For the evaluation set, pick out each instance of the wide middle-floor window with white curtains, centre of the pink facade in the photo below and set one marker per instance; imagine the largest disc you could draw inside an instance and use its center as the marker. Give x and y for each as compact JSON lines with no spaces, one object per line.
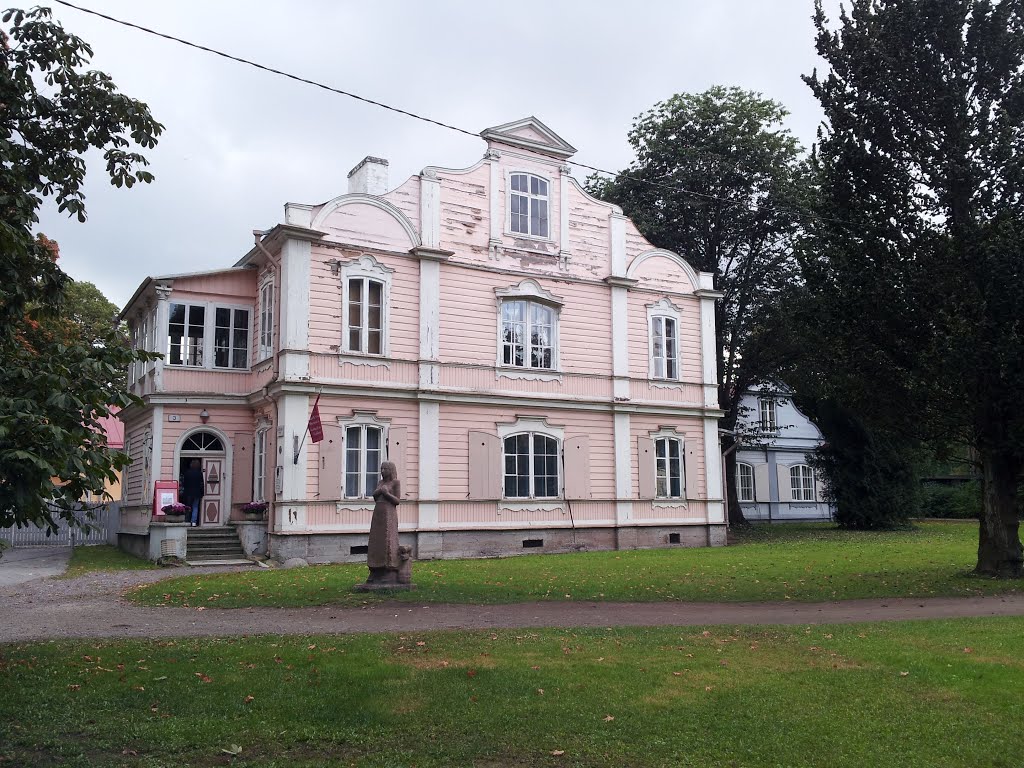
{"x":528,"y":329}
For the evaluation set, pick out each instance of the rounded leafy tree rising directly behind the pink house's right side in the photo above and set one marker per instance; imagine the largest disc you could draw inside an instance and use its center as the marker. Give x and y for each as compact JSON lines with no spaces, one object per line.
{"x":719,"y":181}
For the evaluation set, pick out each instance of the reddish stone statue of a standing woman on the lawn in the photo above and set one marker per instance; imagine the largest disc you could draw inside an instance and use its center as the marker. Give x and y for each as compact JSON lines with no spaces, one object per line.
{"x":391,"y":566}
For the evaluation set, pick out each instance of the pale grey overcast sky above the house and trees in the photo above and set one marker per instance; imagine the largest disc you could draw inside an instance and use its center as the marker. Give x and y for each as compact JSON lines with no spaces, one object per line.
{"x":241,"y":143}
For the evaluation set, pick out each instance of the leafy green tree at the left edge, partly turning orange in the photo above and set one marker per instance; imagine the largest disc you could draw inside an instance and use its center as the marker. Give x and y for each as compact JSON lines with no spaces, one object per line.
{"x":56,"y":381}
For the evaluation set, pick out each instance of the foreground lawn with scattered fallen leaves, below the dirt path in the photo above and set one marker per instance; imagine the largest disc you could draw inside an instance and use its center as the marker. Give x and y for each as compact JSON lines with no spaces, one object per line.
{"x":919,"y":694}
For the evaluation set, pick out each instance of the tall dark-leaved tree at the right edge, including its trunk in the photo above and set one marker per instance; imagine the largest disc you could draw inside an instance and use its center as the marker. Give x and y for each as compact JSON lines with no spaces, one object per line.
{"x":915,"y":309}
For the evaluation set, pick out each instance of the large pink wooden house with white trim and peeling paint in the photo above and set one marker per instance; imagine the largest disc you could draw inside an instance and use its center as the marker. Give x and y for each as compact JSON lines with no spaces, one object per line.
{"x":543,"y":376}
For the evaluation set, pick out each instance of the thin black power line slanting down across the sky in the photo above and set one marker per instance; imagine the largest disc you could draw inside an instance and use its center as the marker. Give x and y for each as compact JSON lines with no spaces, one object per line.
{"x":390,"y":108}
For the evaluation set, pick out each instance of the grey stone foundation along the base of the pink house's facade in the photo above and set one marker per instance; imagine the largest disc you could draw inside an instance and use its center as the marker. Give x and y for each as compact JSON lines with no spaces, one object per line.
{"x":431,"y":545}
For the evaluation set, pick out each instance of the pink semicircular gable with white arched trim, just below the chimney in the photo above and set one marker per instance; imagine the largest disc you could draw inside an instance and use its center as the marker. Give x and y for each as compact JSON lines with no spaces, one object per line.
{"x":367,"y":221}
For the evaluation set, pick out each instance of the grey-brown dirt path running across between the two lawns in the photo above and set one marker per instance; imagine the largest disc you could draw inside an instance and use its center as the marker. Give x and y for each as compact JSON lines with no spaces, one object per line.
{"x":92,"y":608}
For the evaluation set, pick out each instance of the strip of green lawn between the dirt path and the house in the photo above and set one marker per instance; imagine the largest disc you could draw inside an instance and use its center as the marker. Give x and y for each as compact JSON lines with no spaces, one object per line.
{"x":782,"y":563}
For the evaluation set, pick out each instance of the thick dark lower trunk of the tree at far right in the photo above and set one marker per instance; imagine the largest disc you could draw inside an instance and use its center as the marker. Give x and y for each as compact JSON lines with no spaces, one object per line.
{"x":999,"y":540}
